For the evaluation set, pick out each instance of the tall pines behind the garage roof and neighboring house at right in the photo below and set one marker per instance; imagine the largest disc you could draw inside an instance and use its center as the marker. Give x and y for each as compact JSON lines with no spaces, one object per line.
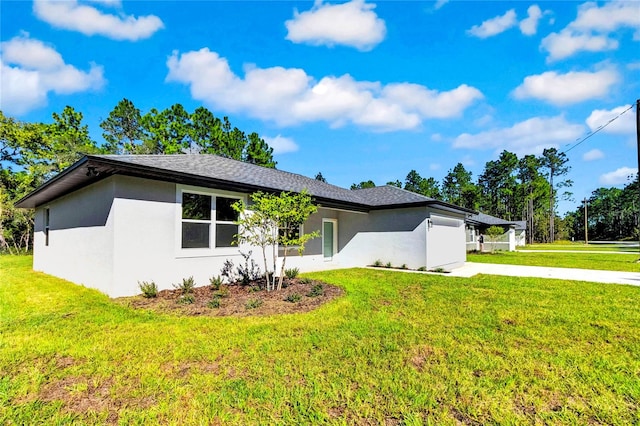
{"x":515,"y":189}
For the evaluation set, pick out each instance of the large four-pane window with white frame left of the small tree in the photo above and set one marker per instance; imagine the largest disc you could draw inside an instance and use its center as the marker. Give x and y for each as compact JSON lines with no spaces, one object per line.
{"x":208,"y":221}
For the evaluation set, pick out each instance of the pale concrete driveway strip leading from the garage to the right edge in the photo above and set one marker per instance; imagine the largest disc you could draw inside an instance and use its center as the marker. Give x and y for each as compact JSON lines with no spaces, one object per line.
{"x":608,"y":277}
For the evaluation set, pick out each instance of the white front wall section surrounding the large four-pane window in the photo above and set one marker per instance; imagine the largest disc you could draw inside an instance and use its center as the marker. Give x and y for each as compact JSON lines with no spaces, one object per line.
{"x":148,"y":238}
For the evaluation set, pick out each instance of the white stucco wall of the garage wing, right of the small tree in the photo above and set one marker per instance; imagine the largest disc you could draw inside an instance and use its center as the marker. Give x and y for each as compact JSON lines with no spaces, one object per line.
{"x":399,"y":236}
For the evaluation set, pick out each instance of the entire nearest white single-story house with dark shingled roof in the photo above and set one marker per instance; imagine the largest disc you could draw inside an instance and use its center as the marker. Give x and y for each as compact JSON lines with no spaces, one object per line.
{"x":109,"y":222}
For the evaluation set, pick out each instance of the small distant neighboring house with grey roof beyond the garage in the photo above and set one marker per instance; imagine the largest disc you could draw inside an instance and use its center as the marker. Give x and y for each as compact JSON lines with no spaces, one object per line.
{"x":514,"y":233}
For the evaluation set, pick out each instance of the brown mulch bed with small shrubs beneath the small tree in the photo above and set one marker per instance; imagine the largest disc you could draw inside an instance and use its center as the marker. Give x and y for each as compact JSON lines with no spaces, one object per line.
{"x":297,"y":295}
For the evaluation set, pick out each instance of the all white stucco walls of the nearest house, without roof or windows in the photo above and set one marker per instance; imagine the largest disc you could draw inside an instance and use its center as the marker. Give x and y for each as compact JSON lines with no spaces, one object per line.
{"x":123,"y":230}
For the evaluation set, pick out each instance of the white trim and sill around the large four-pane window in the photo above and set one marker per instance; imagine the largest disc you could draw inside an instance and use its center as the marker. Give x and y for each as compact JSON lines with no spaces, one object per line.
{"x":211,"y":251}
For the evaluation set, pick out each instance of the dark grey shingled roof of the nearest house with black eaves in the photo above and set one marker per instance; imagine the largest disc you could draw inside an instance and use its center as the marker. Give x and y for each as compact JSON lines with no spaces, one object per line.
{"x":223,"y":173}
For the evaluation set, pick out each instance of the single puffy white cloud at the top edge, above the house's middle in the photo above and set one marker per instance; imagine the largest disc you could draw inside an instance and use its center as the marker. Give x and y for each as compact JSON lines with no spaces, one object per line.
{"x":351,"y":24}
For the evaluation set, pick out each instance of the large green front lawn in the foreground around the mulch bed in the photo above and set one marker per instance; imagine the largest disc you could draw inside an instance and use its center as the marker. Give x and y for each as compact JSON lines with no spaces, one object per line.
{"x":397,"y":349}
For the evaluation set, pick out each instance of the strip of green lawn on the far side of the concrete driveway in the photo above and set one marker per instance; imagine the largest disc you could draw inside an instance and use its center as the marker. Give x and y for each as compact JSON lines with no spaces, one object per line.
{"x":582,"y":260}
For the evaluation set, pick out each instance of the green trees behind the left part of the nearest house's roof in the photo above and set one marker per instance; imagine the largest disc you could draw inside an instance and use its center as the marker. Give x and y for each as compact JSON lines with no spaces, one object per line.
{"x":31,"y":153}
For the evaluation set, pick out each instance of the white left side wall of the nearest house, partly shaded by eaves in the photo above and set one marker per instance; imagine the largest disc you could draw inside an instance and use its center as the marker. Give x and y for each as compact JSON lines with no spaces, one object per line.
{"x":81,"y":242}
